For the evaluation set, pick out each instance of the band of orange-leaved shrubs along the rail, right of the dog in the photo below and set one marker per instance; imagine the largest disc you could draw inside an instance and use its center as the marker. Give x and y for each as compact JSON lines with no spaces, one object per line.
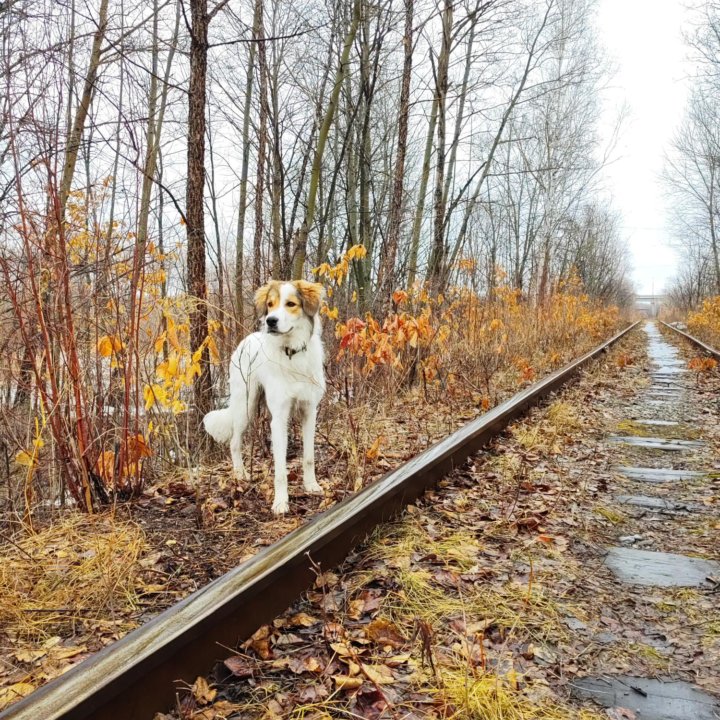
{"x":444,"y":339}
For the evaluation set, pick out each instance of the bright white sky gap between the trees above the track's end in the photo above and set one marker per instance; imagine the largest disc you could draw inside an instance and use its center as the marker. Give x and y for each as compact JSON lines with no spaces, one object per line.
{"x":644,"y":40}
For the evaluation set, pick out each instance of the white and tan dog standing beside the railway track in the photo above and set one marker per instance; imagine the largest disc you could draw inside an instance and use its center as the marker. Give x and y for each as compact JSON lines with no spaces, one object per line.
{"x":285,"y":361}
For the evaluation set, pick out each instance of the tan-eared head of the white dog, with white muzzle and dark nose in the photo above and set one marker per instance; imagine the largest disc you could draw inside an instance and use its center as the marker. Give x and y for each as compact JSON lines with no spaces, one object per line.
{"x":286,"y":307}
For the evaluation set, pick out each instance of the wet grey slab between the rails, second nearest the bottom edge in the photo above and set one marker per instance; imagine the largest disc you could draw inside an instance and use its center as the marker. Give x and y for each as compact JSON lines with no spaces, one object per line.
{"x":644,"y":567}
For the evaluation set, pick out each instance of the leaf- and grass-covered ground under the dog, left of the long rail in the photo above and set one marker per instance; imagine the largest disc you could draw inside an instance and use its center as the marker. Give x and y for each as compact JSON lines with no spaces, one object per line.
{"x":193,"y":525}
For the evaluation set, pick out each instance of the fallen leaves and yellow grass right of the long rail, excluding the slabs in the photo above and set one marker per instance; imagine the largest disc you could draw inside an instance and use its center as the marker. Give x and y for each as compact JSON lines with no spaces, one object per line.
{"x":489,"y":595}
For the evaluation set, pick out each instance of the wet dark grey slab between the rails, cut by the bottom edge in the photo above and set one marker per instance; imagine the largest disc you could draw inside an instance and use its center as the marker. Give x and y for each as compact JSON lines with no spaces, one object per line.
{"x":648,"y":698}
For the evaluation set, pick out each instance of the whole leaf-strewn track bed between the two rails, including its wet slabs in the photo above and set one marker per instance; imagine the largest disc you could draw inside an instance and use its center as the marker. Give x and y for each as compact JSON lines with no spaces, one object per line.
{"x":570,"y":571}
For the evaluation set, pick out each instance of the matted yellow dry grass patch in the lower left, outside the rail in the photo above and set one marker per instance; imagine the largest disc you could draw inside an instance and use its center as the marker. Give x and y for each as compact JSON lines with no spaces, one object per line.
{"x":85,"y":568}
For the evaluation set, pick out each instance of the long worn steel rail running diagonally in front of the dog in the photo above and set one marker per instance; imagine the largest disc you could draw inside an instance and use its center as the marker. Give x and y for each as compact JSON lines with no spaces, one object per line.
{"x":137,"y":675}
